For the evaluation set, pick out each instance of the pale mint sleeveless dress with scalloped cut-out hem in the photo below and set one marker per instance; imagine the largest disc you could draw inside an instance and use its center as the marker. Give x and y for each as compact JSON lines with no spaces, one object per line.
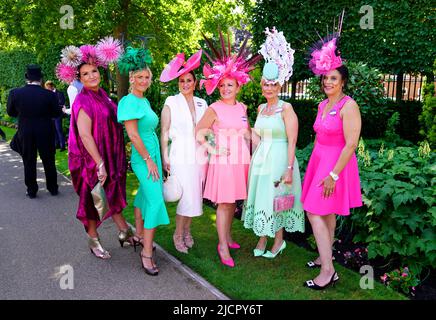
{"x":268,"y":164}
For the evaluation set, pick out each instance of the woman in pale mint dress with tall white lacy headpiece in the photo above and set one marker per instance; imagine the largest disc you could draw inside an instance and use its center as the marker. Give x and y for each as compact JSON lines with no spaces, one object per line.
{"x":273,"y":161}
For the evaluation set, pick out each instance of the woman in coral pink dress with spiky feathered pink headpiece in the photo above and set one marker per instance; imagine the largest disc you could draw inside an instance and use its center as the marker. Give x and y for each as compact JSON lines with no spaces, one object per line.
{"x":227,"y":175}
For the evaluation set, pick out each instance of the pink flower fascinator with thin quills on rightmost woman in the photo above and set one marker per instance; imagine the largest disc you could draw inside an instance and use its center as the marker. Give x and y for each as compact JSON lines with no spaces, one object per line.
{"x":324,"y":54}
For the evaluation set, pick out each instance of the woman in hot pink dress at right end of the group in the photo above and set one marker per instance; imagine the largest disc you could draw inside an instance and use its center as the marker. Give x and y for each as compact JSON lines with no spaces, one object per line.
{"x":331,"y":184}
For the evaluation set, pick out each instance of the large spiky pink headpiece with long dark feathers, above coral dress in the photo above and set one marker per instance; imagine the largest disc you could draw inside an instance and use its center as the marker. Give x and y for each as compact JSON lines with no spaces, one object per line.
{"x":226,"y":64}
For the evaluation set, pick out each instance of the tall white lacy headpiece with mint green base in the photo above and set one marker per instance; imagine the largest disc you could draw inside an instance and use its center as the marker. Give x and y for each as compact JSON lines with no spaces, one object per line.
{"x":279,"y":57}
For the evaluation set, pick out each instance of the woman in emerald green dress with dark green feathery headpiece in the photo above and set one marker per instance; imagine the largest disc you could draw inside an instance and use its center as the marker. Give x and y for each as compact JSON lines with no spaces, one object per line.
{"x":140,"y":122}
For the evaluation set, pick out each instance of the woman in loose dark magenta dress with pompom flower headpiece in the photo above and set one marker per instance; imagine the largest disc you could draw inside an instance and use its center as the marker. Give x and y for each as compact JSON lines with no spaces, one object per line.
{"x":96,"y":142}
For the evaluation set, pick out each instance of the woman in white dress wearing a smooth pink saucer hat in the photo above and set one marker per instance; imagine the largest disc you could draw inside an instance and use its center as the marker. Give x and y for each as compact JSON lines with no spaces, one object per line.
{"x":184,"y":158}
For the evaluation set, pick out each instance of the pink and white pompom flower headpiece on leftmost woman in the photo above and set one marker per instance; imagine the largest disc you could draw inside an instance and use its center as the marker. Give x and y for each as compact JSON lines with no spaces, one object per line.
{"x":105,"y":52}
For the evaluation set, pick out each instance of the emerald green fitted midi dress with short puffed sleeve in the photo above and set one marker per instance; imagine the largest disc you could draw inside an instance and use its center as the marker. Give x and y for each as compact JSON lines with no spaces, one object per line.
{"x":149,"y":198}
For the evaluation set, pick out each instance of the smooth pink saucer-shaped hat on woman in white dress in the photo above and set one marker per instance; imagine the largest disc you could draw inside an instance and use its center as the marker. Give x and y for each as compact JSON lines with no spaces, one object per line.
{"x":177,"y":67}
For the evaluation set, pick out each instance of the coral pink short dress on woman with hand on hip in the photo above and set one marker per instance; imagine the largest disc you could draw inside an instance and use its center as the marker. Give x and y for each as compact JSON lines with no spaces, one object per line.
{"x":227,"y":176}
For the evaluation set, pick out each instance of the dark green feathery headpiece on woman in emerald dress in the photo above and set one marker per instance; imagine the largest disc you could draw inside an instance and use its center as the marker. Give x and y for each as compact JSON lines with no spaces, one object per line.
{"x":134,"y":59}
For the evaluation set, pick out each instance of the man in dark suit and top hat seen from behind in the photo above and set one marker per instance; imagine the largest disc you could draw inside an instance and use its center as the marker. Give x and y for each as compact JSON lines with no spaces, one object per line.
{"x":35,"y":107}
